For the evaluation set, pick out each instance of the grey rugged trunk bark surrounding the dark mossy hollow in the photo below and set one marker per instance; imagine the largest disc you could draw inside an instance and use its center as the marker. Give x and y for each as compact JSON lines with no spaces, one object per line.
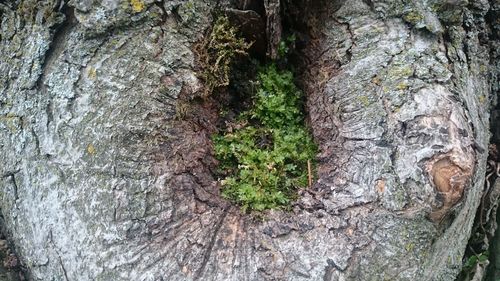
{"x":107,"y":159}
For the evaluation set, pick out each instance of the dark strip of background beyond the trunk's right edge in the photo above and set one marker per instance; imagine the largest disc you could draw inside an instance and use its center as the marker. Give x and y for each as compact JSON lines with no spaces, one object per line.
{"x":485,"y":237}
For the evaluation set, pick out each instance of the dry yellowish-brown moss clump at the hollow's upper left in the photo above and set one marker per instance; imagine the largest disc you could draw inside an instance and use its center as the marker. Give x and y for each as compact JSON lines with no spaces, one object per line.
{"x":219,"y":52}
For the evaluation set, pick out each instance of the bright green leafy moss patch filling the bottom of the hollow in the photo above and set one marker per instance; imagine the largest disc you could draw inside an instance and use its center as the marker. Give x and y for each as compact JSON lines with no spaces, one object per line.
{"x":265,"y":161}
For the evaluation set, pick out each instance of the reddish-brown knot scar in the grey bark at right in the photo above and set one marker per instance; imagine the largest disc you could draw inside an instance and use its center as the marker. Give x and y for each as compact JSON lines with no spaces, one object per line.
{"x":450,"y":174}
